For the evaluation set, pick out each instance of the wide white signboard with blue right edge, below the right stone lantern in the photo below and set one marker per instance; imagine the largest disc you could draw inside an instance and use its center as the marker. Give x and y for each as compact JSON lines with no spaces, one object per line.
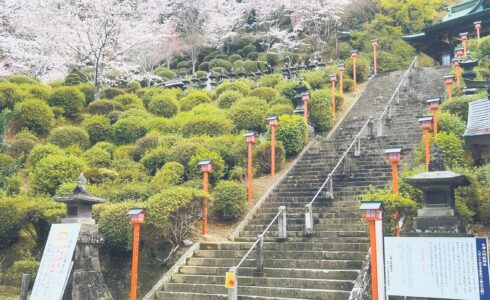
{"x":450,"y":268}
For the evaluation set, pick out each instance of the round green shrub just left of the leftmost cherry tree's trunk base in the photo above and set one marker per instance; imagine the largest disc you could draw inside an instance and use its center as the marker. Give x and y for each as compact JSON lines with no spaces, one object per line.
{"x":69,"y":98}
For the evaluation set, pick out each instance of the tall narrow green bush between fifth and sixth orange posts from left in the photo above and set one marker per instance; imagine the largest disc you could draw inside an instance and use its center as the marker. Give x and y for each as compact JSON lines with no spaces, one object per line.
{"x":320,"y":109}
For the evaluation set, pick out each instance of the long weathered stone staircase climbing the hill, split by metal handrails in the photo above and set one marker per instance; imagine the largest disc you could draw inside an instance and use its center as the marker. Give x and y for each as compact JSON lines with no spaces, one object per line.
{"x":325,"y":265}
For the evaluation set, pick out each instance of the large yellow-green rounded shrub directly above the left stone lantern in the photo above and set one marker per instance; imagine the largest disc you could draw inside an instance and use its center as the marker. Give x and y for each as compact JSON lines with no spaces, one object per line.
{"x":54,"y":170}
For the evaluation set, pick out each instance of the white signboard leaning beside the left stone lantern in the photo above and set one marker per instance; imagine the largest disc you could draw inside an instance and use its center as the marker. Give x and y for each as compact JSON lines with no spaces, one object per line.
{"x":56,"y":263}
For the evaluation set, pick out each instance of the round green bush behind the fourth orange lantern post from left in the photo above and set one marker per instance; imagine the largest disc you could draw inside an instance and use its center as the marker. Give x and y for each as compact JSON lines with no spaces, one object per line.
{"x":262,"y":157}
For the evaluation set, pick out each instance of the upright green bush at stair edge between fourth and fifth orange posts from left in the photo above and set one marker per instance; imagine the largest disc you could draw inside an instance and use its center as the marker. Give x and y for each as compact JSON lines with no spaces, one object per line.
{"x":292,"y":133}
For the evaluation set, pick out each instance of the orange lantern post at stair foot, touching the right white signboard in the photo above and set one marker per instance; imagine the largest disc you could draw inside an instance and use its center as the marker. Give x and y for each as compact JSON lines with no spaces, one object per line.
{"x":372,"y":212}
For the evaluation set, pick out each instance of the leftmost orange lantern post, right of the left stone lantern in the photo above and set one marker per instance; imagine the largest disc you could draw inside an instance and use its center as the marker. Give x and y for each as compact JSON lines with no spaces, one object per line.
{"x":137,"y":217}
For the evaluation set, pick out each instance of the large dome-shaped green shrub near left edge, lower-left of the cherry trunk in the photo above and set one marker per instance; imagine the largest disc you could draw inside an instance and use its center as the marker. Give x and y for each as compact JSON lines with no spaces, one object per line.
{"x":34,"y":115}
